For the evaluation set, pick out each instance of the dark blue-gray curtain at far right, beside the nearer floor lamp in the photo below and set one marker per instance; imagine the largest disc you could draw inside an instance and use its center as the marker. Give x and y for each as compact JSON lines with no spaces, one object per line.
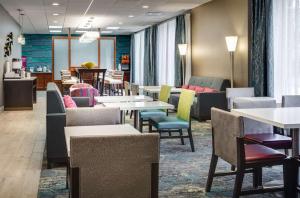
{"x":261,"y":47}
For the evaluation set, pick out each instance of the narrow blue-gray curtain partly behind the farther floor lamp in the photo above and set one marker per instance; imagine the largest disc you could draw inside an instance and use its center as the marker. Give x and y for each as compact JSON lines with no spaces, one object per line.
{"x":180,"y":38}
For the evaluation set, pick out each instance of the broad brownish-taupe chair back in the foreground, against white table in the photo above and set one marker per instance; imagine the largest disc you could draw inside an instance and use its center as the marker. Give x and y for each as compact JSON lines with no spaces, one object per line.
{"x":116,"y":166}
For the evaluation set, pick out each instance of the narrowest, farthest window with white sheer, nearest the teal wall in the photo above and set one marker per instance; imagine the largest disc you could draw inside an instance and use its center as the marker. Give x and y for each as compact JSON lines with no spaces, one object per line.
{"x":139,"y":46}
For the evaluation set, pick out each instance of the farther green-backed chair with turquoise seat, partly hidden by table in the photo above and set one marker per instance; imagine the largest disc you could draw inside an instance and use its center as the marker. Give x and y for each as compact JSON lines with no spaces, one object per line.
{"x":144,"y":116}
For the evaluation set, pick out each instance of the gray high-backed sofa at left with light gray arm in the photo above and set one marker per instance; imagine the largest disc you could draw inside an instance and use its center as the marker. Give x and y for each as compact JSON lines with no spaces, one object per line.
{"x":58,"y":117}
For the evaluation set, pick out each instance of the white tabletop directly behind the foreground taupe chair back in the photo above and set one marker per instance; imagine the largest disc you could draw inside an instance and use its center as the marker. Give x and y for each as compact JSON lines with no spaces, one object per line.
{"x":91,"y":131}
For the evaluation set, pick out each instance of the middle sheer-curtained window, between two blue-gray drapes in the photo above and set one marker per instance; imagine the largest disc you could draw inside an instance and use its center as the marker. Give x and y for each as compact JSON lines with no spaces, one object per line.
{"x":166,"y":53}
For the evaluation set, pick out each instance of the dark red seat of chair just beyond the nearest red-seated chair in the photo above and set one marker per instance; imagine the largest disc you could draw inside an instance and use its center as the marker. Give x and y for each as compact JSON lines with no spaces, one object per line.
{"x":271,"y":140}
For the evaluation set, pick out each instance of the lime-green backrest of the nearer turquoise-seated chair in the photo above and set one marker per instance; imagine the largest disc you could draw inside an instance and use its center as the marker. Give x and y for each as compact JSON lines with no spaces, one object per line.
{"x":185,"y":103}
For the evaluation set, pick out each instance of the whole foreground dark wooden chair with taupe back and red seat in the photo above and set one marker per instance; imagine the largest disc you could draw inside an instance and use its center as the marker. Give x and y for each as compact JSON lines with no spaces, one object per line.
{"x":229,"y":144}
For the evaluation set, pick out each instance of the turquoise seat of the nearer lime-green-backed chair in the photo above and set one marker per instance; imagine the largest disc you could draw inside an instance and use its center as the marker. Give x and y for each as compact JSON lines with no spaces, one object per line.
{"x":169,"y":123}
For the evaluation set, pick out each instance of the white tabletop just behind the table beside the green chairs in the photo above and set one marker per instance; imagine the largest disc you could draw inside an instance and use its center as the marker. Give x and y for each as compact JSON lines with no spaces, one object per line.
{"x":117,"y":99}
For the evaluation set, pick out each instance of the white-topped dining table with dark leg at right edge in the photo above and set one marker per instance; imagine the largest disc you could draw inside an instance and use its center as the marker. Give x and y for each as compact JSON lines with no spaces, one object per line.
{"x":284,"y":118}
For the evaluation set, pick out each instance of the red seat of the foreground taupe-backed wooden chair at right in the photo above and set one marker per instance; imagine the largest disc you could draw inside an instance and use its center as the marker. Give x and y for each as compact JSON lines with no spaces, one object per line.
{"x":256,"y":153}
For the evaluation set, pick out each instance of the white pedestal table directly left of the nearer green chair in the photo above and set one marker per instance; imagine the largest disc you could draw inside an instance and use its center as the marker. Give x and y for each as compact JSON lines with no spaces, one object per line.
{"x":139,"y":106}
